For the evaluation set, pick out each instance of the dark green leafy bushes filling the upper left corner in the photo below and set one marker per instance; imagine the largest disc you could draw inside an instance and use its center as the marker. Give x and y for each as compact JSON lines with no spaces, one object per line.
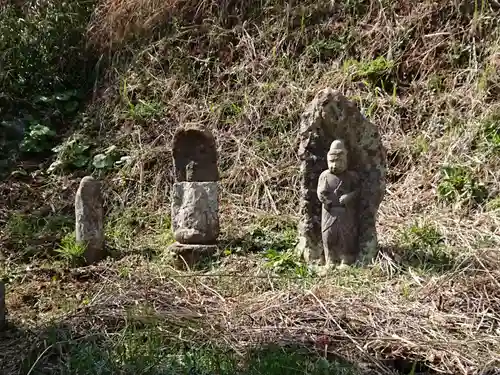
{"x":45,"y":68}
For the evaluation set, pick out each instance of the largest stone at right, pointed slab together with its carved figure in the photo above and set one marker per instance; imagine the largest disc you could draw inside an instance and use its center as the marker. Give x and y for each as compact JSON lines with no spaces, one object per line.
{"x":329,"y":117}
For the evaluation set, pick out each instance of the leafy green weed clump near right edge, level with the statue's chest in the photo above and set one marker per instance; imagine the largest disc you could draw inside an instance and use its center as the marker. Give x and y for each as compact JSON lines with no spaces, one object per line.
{"x":458,"y":185}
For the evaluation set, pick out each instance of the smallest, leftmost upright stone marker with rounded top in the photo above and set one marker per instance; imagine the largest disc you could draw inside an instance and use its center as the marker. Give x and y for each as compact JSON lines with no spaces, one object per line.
{"x":89,"y":212}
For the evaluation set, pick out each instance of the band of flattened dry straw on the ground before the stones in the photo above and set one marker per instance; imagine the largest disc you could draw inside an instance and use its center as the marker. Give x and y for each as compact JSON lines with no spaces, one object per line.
{"x":447,"y":322}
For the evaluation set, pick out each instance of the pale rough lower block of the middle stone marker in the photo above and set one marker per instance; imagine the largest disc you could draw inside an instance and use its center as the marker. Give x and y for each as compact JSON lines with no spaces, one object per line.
{"x":195,"y":212}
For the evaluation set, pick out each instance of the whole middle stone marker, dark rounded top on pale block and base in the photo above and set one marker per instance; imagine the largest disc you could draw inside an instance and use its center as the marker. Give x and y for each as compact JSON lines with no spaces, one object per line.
{"x":195,"y":203}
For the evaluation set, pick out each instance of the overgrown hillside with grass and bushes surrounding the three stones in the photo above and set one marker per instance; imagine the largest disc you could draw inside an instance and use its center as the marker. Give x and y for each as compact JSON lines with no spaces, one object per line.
{"x":115,"y":78}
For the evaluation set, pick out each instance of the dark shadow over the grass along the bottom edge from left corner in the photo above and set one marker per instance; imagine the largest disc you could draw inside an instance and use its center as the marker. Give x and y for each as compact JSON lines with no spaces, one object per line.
{"x":151,"y":350}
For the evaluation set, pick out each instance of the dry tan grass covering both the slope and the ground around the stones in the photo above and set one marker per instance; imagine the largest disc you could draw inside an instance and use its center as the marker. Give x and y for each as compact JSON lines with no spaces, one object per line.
{"x":246,"y":72}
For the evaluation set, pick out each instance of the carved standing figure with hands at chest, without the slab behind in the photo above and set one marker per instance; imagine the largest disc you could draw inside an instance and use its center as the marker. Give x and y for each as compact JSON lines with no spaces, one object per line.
{"x":338,"y":192}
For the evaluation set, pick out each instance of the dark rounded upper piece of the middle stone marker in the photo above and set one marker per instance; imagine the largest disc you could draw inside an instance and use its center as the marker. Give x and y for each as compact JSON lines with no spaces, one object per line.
{"x":195,"y":155}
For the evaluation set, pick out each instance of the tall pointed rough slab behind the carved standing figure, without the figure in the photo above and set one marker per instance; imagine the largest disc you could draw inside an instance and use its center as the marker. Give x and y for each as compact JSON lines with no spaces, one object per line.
{"x":328,"y":117}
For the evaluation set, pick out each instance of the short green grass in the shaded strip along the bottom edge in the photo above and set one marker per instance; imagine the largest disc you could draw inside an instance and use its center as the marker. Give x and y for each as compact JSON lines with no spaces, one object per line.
{"x":149,"y":351}
